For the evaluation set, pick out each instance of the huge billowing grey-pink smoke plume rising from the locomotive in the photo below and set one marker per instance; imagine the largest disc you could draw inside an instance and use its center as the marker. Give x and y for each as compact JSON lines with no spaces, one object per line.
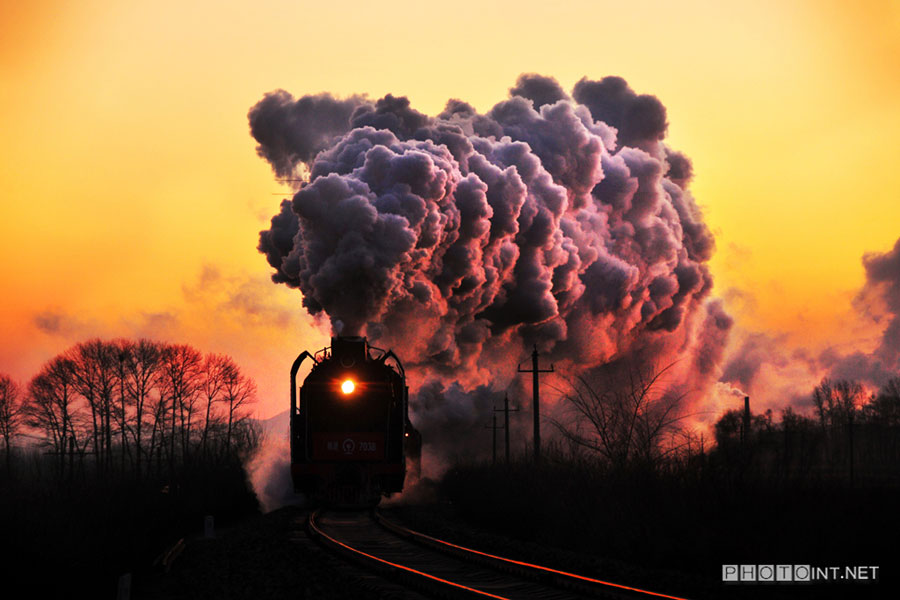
{"x":462,"y":239}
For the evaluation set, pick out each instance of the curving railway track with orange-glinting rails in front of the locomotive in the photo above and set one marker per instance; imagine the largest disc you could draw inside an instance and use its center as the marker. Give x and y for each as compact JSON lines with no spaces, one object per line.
{"x":440,"y":569}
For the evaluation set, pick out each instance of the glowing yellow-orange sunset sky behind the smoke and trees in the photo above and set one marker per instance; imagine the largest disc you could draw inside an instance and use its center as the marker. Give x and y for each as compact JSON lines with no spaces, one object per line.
{"x":132,"y":196}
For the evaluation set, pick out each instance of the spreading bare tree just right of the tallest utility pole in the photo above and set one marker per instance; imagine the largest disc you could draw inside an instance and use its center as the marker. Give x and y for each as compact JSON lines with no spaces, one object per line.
{"x":624,"y":411}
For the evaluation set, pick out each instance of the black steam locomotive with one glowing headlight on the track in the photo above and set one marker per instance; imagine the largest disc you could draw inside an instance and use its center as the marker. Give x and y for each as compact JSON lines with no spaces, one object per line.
{"x":351,"y":435}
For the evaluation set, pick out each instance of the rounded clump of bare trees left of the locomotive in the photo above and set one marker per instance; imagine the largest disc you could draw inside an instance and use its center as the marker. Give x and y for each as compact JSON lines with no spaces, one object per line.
{"x":137,"y":405}
